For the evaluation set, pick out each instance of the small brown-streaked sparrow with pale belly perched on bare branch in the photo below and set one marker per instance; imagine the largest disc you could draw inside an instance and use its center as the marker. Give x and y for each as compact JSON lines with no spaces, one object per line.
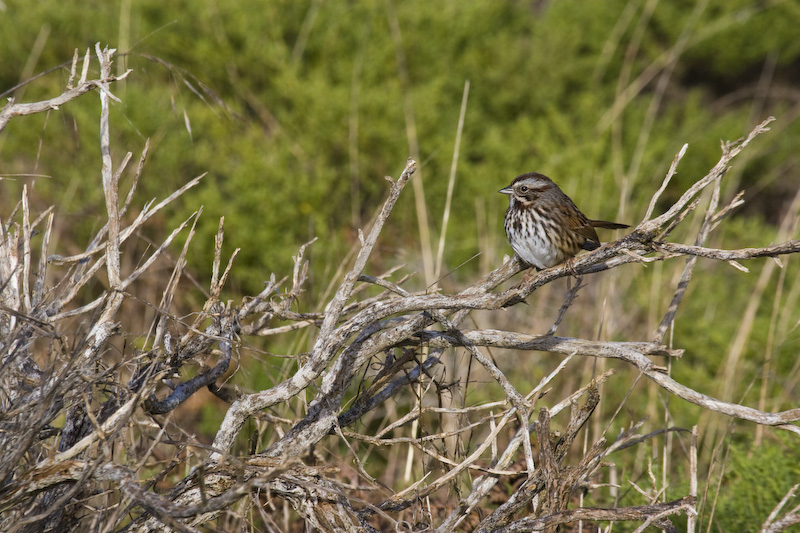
{"x":543,"y":226}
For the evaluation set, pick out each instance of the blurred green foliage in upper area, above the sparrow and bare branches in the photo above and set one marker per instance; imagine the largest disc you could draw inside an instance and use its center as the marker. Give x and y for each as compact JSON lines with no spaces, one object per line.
{"x":314,"y":112}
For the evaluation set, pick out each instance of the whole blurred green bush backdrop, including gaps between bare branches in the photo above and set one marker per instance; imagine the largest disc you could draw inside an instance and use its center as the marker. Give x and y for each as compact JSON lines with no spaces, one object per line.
{"x":297,"y":110}
